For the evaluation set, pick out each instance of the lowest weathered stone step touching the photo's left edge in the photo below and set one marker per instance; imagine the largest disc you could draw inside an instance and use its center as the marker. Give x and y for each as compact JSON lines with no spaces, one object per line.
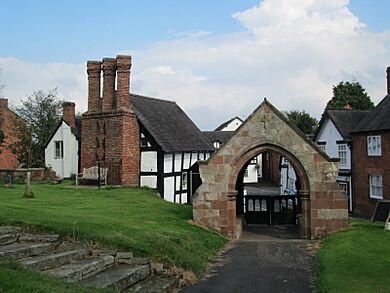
{"x":22,"y":250}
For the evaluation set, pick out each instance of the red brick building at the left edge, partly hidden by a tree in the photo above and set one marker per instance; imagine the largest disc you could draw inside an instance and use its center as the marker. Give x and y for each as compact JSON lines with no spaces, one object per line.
{"x":7,"y":117}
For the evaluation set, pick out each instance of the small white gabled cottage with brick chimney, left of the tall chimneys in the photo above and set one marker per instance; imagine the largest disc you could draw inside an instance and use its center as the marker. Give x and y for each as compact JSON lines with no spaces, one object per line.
{"x":61,"y":150}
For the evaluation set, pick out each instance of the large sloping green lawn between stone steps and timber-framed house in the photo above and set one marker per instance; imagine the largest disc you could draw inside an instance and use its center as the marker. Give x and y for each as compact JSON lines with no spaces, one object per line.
{"x":133,"y":219}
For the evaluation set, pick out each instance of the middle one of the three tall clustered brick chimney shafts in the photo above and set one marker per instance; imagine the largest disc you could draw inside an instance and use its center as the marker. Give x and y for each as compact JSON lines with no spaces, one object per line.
{"x":109,"y":74}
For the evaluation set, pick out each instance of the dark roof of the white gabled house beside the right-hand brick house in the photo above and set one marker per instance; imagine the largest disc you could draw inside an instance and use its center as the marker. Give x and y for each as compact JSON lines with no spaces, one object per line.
{"x":344,"y":121}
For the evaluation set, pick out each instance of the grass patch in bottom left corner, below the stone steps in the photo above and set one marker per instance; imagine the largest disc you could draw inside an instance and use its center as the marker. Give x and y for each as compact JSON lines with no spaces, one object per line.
{"x":15,"y":279}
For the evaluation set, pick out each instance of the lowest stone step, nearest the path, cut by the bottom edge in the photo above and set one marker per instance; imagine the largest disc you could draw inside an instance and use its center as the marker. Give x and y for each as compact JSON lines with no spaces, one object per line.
{"x":155,"y":284}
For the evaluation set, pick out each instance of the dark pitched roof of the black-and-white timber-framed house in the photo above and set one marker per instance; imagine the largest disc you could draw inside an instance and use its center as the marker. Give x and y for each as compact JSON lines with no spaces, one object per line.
{"x":172,"y":129}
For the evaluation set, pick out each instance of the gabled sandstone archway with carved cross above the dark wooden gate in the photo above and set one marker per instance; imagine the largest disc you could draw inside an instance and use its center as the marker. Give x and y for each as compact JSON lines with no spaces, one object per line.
{"x":324,"y":205}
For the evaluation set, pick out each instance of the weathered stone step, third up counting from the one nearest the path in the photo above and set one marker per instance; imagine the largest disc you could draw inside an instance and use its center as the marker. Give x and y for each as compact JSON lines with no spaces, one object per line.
{"x":83,"y":268}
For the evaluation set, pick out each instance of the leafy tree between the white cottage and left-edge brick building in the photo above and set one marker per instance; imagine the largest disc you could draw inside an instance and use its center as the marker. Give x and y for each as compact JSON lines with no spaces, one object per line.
{"x":42,"y":111}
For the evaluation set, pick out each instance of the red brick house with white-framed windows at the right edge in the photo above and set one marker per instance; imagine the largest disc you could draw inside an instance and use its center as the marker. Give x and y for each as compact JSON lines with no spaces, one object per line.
{"x":371,"y":157}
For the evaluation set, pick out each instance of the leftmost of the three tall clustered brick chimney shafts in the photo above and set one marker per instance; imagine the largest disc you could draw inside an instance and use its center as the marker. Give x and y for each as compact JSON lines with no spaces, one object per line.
{"x":93,"y":70}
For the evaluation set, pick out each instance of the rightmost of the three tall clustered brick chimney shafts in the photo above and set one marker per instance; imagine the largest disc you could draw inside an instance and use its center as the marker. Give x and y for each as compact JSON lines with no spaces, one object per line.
{"x":123,"y":64}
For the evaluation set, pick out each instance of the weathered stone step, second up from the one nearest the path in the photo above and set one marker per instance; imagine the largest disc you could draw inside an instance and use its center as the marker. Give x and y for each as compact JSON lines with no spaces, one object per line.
{"x":118,"y":277}
